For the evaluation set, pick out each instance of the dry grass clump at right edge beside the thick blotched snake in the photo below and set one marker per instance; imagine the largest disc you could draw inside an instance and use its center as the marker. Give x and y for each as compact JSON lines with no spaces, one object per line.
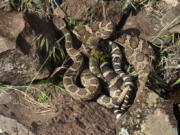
{"x":169,"y":60}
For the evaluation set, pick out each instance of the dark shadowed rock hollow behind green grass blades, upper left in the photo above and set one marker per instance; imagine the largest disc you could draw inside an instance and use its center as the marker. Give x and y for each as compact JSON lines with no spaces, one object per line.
{"x":35,"y":26}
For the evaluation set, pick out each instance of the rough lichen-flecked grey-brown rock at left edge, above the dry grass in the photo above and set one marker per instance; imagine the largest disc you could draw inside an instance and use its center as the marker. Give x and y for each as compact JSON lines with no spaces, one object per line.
{"x":17,"y":68}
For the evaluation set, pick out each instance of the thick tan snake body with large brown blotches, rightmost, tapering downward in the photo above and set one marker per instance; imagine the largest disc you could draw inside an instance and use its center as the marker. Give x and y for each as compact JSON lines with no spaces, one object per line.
{"x":140,"y":54}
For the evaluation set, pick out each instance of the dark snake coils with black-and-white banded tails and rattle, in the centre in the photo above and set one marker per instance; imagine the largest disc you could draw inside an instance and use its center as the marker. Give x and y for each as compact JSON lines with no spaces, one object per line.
{"x":121,"y":87}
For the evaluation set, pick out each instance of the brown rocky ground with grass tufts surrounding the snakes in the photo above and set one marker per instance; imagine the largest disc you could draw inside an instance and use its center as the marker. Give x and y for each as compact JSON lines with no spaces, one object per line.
{"x":33,"y":103}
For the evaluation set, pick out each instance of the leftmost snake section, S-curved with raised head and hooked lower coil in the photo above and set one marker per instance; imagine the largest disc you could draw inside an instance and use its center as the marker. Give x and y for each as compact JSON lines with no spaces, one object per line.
{"x":71,"y":74}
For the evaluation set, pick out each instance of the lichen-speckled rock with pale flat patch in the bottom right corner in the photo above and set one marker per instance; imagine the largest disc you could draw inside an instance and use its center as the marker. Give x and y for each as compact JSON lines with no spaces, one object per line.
{"x":149,"y":115}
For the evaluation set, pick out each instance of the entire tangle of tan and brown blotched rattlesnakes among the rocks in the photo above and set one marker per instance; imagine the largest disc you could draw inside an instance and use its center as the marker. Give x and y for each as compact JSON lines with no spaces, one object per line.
{"x":121,"y":87}
